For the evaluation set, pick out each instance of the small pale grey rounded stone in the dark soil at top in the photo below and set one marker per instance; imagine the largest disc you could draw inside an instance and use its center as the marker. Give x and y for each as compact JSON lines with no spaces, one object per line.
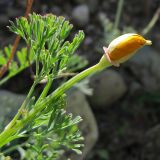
{"x":80,"y":15}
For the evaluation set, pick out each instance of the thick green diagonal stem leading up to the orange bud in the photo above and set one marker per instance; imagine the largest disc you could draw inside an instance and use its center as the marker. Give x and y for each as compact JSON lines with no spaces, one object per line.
{"x":42,"y":104}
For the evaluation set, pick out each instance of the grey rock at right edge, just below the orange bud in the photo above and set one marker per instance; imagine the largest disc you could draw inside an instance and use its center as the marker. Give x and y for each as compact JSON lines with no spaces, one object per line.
{"x":145,"y":66}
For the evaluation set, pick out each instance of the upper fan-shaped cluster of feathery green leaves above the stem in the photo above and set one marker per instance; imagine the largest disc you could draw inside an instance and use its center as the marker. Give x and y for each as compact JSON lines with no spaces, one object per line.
{"x":46,"y":35}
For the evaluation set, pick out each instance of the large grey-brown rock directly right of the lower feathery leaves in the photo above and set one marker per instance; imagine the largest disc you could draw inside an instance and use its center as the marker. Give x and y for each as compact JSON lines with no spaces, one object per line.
{"x":78,"y":105}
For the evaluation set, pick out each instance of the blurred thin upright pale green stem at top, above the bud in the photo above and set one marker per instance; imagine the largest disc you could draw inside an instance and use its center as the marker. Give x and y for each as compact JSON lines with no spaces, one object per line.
{"x":118,"y":14}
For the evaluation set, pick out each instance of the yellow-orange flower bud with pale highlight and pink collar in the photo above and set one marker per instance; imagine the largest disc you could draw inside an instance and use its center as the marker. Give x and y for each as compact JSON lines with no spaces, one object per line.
{"x":123,"y":47}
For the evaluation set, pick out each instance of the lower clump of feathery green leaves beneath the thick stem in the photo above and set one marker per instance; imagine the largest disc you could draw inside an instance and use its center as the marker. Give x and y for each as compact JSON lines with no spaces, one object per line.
{"x":54,"y":131}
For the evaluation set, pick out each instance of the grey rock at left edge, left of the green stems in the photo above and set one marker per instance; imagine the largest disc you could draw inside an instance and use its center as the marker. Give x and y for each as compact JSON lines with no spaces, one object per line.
{"x":10,"y":102}
